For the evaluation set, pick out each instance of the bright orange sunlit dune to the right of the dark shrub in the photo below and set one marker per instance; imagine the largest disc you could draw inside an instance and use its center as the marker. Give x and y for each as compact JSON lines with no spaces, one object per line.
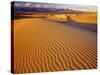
{"x":85,"y":18}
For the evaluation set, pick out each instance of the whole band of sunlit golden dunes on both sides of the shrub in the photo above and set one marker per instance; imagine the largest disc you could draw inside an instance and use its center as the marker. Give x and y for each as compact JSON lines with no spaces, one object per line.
{"x":82,"y":18}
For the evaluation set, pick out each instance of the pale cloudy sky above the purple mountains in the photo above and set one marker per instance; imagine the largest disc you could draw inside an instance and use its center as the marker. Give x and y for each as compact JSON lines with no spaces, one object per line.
{"x":53,"y":5}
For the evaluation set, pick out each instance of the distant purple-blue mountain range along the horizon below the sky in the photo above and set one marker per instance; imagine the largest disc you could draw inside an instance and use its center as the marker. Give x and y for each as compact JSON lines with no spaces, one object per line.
{"x":47,"y":10}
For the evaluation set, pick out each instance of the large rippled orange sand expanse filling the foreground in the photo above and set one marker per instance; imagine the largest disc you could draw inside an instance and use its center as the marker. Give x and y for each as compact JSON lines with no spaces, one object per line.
{"x":41,"y":45}
